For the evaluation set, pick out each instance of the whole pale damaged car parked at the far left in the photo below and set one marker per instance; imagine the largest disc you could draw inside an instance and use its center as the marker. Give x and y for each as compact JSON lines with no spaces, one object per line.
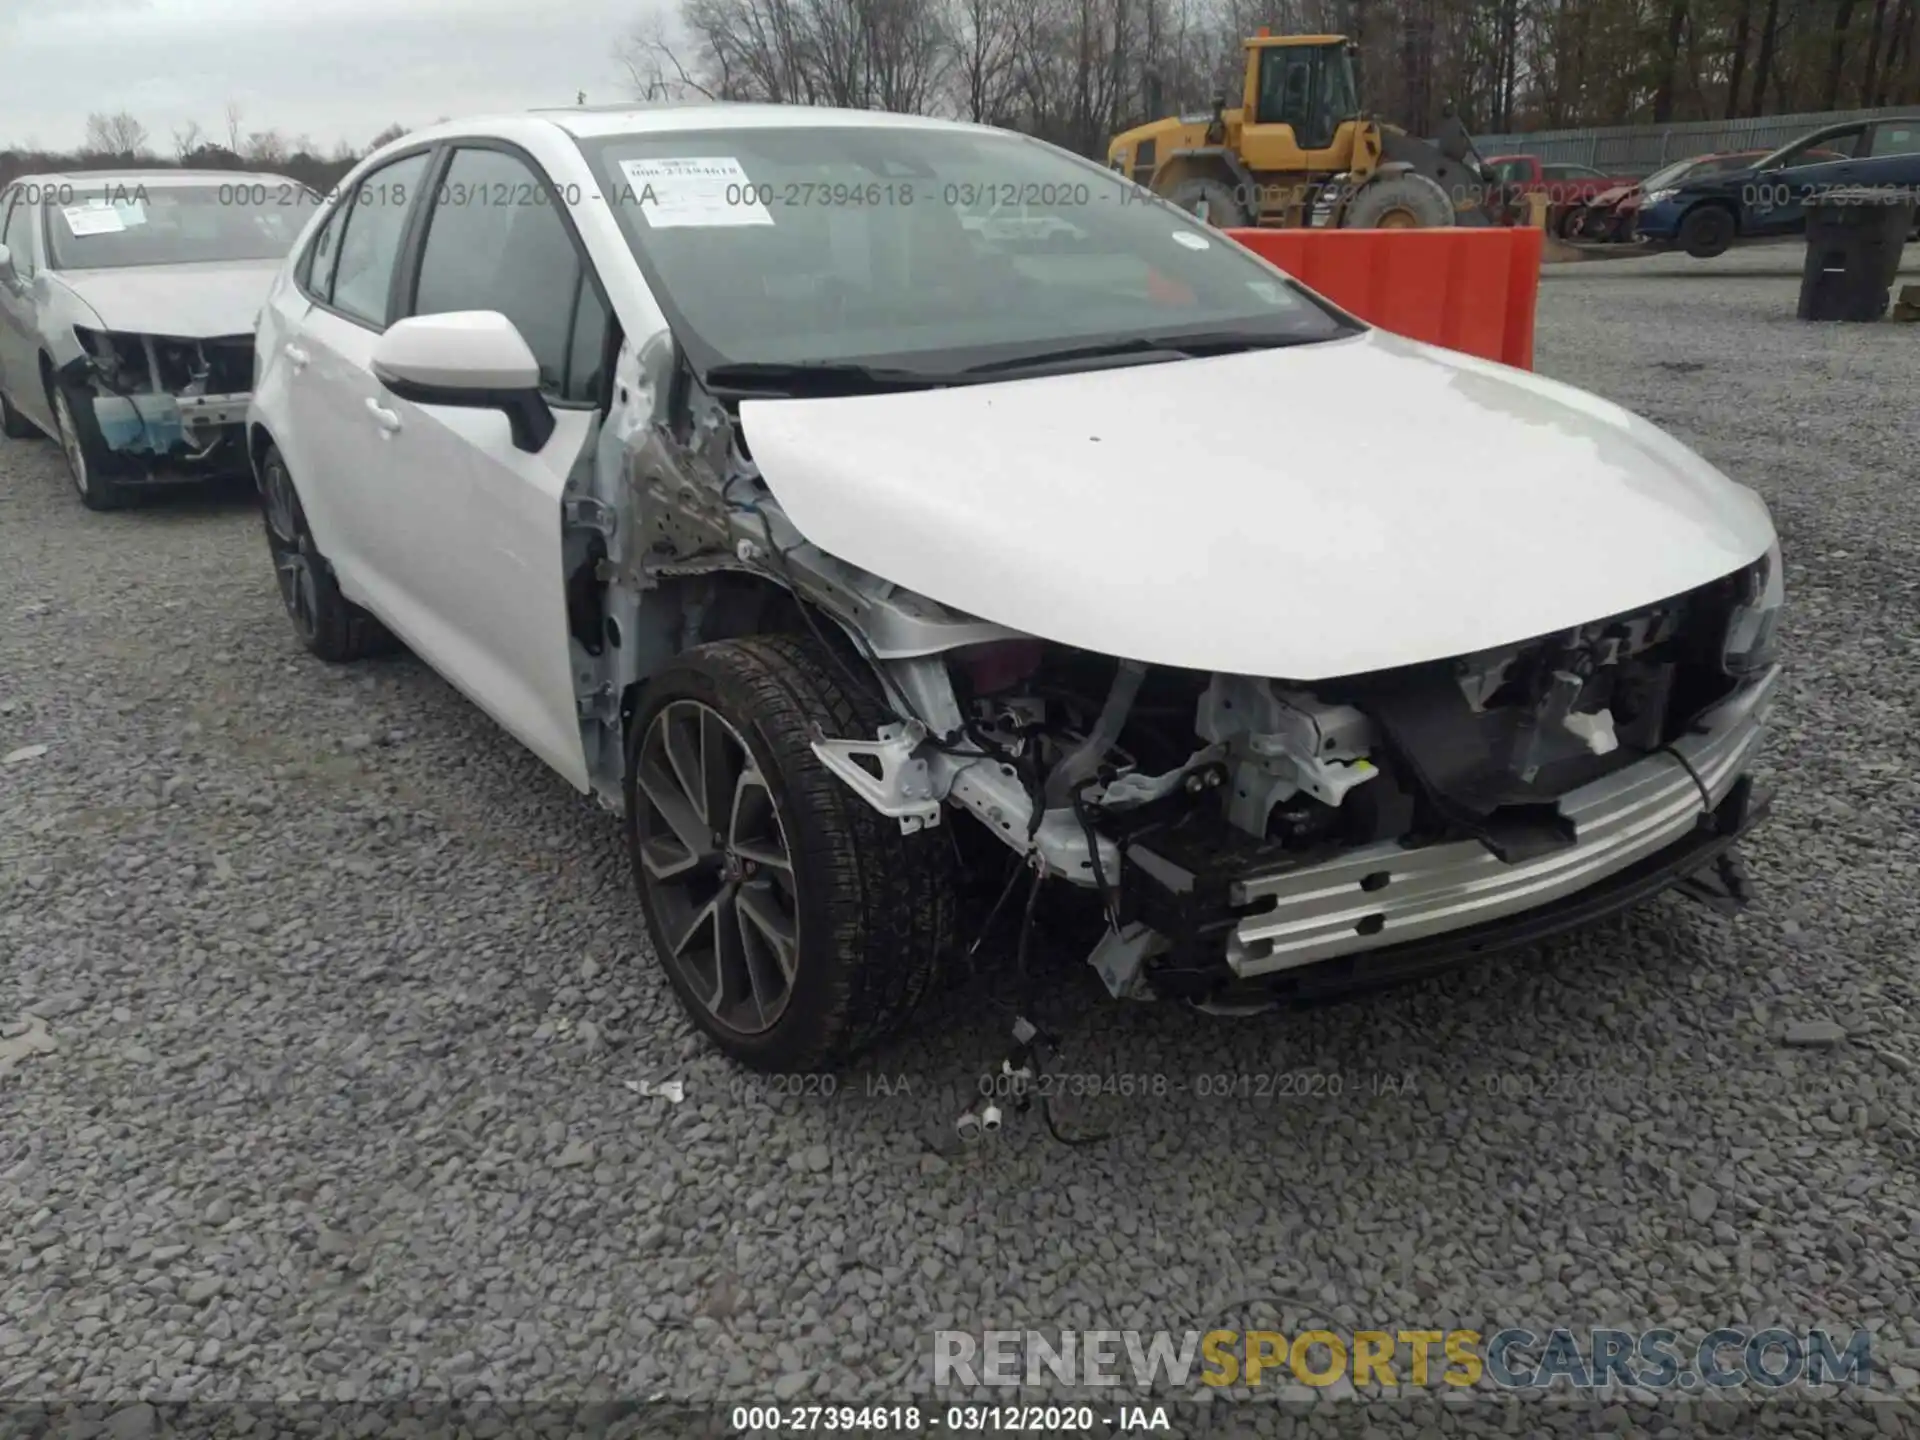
{"x":128,"y":308}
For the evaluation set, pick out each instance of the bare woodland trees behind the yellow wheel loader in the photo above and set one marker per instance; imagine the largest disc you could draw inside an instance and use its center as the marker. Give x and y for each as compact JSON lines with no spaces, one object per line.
{"x":1074,"y":72}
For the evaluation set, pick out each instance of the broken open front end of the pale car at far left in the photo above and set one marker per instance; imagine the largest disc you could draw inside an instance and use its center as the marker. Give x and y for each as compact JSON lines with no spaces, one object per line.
{"x":166,"y":396}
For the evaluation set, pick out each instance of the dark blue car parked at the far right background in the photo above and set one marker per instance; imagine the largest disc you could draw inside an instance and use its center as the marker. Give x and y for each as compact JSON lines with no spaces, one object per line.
{"x":1708,"y":214}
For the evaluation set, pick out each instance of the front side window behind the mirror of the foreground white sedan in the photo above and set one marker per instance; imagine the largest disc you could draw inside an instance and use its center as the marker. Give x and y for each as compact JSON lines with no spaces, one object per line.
{"x":496,"y":241}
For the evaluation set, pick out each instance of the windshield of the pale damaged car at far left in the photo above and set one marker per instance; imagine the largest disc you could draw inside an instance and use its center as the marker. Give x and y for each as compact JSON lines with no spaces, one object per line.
{"x":133,"y":224}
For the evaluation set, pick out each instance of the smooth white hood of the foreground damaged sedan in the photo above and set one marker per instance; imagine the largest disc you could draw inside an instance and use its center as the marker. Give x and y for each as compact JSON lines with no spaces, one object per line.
{"x":1295,"y":514}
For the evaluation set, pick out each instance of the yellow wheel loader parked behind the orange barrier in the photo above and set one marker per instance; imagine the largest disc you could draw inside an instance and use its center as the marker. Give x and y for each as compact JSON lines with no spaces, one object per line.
{"x":1299,"y":151}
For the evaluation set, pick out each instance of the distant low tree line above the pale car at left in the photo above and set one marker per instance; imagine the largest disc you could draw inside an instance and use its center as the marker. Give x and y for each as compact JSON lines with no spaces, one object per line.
{"x":120,"y":141}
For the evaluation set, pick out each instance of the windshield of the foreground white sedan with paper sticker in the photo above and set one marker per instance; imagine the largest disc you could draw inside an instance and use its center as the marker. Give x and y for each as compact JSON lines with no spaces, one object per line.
{"x":923,"y":249}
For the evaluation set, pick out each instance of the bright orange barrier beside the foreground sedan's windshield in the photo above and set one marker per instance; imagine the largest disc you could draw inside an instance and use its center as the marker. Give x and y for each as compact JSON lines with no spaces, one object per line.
{"x":1464,"y":289}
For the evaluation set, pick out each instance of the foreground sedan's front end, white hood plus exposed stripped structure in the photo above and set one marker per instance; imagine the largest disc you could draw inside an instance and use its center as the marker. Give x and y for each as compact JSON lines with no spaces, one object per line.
{"x":1297,"y":715}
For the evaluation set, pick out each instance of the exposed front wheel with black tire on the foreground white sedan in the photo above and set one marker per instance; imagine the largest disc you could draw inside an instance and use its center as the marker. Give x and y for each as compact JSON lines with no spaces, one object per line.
{"x":798,"y":926}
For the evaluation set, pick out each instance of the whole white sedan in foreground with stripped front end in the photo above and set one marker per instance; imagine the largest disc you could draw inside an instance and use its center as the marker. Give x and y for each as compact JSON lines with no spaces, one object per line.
{"x":873,"y":558}
